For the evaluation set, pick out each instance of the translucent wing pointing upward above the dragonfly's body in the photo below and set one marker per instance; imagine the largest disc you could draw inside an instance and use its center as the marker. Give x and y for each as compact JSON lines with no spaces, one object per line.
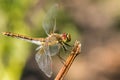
{"x":49,"y":23}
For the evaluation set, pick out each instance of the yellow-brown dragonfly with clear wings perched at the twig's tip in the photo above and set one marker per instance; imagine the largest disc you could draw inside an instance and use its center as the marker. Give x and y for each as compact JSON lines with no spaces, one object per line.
{"x":48,"y":46}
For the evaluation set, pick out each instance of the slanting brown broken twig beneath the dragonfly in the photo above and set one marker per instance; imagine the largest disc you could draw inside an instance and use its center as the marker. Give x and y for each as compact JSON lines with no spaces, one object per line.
{"x":75,"y":51}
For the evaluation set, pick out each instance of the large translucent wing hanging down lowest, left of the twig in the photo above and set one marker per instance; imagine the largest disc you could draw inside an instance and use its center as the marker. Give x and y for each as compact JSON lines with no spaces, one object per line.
{"x":44,"y":61}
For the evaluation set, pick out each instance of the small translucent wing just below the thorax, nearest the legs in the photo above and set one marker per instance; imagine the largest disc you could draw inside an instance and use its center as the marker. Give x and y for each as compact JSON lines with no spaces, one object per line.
{"x":54,"y":49}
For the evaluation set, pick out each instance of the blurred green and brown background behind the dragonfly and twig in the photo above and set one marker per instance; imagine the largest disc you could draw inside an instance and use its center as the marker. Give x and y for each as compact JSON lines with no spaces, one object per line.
{"x":96,"y":23}
